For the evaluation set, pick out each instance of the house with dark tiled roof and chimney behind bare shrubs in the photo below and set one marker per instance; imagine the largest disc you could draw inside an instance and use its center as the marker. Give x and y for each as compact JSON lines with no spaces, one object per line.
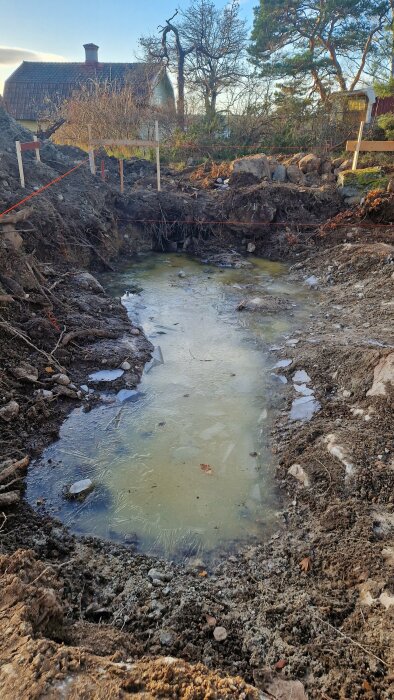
{"x":35,"y":86}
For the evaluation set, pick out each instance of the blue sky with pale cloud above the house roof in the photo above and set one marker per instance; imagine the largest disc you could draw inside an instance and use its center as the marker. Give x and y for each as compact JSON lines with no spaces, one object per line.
{"x":46,"y":30}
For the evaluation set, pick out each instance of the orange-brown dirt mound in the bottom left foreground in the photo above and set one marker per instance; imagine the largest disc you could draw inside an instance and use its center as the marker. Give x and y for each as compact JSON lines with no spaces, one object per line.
{"x":34,"y":665}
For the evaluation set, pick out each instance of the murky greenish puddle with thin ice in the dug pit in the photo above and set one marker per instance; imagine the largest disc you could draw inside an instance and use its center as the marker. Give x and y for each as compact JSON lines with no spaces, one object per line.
{"x":181,"y":466}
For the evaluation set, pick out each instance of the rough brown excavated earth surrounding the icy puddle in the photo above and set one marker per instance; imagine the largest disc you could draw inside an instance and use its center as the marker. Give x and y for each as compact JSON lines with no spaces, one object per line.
{"x":312,"y":607}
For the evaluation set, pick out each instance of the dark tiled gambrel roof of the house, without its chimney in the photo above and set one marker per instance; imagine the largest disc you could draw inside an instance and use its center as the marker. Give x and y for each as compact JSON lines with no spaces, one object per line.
{"x":34,"y":85}
